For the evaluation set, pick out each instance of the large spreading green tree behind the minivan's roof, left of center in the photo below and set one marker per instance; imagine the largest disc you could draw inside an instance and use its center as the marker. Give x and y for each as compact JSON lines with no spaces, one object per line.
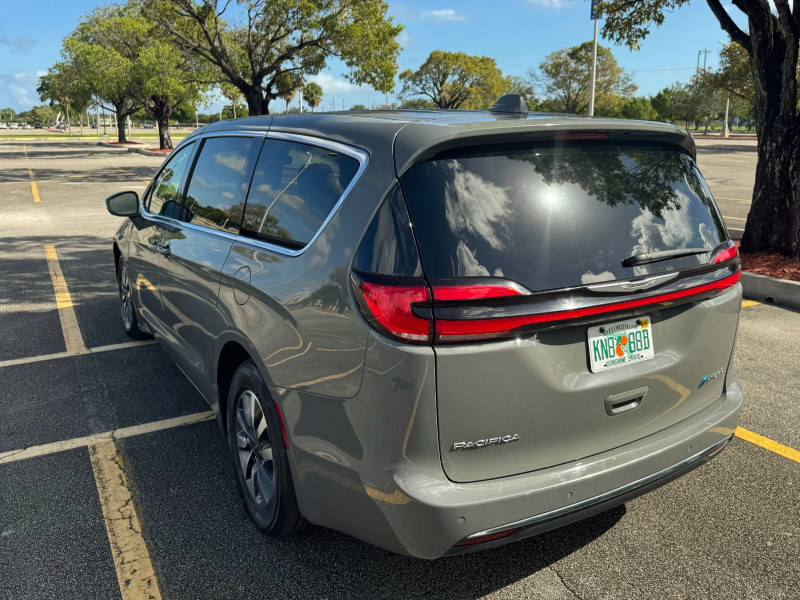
{"x":278,"y":37}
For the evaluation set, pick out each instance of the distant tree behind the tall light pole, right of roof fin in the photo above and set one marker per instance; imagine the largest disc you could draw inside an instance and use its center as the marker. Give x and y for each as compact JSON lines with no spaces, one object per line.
{"x":565,"y":78}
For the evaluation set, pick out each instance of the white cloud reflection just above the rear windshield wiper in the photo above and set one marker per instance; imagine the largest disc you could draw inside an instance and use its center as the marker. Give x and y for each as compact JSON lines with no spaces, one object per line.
{"x":671,"y":231}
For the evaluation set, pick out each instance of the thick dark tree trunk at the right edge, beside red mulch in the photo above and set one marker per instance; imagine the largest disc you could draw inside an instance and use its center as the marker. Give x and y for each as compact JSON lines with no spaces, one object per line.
{"x":773,"y":224}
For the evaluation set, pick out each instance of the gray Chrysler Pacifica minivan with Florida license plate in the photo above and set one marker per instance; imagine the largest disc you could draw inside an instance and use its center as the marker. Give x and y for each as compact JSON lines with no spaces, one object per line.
{"x":440,"y":331}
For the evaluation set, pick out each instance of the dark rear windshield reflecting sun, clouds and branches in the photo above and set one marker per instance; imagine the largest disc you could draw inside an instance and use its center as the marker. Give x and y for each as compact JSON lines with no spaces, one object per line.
{"x":554,"y":217}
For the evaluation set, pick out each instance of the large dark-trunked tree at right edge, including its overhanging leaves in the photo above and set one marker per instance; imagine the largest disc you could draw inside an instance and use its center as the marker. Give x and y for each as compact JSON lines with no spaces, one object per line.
{"x":772,"y":43}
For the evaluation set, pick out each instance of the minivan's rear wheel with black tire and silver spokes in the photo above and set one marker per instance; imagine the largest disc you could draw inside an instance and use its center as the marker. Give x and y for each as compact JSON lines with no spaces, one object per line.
{"x":256,"y":444}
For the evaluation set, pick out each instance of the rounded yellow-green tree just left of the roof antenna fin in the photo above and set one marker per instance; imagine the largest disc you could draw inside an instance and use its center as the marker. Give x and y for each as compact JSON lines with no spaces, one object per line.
{"x":456,"y":80}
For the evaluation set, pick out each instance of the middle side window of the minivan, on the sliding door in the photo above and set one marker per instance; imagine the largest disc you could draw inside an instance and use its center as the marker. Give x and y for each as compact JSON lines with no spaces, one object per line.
{"x":218,"y":187}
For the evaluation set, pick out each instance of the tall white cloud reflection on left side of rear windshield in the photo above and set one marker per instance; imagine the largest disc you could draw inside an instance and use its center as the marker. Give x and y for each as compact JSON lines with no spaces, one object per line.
{"x":475,"y":205}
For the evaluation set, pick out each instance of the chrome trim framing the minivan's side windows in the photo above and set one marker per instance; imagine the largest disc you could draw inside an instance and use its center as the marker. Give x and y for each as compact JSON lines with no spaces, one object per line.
{"x":360,"y":155}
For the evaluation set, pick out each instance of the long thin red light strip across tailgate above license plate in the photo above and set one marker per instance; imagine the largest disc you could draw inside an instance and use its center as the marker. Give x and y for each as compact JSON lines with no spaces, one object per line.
{"x":467,"y":330}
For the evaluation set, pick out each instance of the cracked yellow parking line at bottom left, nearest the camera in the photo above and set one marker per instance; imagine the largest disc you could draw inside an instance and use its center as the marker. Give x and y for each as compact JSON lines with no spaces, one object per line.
{"x":135,"y":573}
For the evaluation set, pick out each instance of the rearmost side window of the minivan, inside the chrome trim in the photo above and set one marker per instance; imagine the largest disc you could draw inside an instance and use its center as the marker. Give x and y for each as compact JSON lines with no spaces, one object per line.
{"x":295,"y":188}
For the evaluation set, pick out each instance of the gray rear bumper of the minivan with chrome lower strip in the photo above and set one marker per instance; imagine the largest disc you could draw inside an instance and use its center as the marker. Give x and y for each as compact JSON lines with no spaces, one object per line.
{"x":415,"y":510}
